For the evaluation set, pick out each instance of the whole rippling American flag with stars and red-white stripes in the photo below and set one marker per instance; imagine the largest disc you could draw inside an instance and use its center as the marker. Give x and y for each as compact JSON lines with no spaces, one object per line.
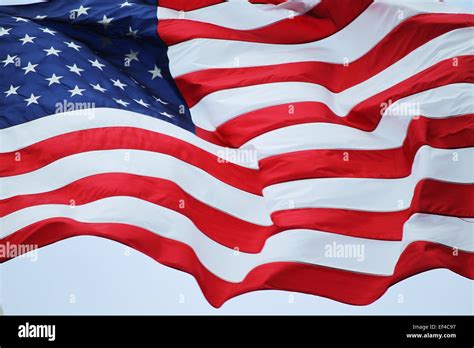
{"x":323,"y":147}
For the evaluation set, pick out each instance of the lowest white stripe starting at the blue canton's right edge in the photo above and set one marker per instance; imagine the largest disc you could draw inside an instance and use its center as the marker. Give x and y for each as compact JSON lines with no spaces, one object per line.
{"x":221,"y":106}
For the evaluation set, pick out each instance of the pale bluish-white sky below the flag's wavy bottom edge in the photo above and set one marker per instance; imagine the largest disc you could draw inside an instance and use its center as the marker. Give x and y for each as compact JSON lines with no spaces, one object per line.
{"x":88,"y":275}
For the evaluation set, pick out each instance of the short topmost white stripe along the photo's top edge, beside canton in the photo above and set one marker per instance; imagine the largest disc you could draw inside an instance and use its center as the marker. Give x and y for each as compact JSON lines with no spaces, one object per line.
{"x":241,"y":15}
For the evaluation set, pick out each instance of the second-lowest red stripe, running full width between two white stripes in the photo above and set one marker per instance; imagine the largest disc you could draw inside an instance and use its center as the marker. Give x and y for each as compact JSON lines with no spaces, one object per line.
{"x":429,"y":197}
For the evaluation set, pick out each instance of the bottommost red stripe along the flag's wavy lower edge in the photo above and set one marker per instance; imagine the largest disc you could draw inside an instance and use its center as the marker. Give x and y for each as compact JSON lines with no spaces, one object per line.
{"x":340,"y":285}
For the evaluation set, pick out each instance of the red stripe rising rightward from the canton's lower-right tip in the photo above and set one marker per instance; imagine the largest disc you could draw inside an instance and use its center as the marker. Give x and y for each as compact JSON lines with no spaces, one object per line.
{"x":365,"y":115}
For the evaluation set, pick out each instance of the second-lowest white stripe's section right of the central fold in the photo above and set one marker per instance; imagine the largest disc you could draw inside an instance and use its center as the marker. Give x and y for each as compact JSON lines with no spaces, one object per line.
{"x":379,"y":195}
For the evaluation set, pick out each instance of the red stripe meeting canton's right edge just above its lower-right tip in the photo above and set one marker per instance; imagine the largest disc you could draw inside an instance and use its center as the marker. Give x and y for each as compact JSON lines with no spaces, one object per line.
{"x":419,"y":29}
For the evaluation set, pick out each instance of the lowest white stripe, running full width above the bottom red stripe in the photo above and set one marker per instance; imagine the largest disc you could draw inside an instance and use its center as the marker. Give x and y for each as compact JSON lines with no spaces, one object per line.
{"x":303,"y":246}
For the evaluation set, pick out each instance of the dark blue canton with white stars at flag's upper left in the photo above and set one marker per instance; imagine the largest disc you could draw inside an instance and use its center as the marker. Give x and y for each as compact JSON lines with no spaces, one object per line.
{"x":96,"y":53}
